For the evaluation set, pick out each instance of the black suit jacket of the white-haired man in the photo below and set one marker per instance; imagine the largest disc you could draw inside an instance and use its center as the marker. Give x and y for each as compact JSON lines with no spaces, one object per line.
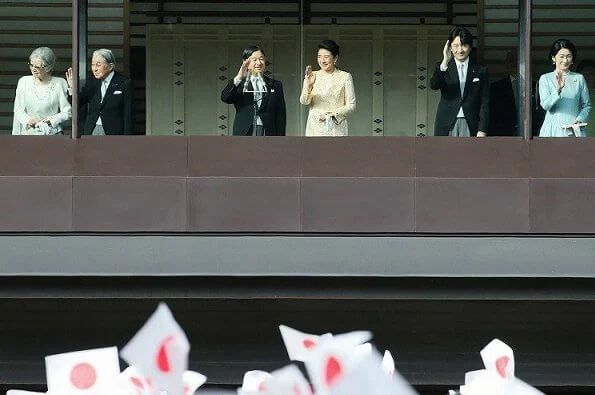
{"x":116,"y":109}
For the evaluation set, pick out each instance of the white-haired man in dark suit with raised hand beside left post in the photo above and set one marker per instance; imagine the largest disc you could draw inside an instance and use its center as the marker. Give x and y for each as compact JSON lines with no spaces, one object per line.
{"x":108,"y":97}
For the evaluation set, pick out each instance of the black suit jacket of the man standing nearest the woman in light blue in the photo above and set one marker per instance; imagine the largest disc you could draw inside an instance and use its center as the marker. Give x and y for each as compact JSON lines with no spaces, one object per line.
{"x":475,"y":100}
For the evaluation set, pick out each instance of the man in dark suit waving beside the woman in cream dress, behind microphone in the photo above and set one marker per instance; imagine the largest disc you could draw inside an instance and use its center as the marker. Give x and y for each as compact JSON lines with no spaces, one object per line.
{"x":257,"y":98}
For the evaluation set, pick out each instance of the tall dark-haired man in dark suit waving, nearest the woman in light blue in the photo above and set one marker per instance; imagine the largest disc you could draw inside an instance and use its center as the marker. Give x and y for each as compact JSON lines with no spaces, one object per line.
{"x":464,"y":106}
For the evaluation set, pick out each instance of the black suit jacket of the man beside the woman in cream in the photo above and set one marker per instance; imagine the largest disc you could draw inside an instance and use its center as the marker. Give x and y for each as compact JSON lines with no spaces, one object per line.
{"x":271,"y":110}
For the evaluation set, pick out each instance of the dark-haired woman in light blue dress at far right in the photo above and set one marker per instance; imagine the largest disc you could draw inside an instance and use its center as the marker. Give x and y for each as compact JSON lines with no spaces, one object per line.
{"x":563,"y":94}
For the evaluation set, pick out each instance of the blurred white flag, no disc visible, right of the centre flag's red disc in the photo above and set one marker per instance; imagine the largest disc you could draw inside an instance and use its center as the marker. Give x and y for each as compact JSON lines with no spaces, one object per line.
{"x":366,"y":376}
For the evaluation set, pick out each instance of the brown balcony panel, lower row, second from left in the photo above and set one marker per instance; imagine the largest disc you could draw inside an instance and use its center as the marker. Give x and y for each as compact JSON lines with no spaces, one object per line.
{"x":129,"y":204}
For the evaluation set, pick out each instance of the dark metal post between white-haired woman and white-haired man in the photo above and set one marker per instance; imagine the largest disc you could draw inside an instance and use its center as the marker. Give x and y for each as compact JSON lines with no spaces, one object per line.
{"x":79,"y":57}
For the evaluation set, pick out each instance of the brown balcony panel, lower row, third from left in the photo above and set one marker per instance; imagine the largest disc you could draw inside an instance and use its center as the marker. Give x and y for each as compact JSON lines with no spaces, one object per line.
{"x":244,"y":204}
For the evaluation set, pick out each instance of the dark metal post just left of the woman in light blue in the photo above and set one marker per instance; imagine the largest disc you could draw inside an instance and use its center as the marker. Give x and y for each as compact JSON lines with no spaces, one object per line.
{"x":524,"y":105}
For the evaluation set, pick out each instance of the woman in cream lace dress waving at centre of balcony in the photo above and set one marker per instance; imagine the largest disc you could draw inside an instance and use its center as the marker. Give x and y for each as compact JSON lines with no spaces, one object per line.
{"x":329,"y":93}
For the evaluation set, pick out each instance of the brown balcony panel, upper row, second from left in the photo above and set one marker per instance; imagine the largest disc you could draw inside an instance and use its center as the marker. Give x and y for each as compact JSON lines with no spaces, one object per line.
{"x":131,"y":156}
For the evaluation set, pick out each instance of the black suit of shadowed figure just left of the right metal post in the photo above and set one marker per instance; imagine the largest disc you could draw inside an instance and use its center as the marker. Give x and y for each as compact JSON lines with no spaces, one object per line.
{"x":503,"y":114}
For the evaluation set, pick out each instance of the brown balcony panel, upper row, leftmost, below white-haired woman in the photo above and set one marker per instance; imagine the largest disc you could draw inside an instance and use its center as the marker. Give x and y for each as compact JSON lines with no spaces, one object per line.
{"x":36,"y":156}
